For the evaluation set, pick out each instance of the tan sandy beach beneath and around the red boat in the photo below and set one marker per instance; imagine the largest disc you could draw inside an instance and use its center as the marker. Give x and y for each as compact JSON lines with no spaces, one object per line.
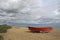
{"x":22,"y":33}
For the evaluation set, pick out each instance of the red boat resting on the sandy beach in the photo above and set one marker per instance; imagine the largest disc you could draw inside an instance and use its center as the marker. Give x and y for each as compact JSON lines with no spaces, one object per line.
{"x":38,"y":29}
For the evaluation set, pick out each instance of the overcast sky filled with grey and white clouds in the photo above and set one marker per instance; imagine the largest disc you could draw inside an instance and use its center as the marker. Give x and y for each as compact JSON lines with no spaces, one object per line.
{"x":30,"y":11}
